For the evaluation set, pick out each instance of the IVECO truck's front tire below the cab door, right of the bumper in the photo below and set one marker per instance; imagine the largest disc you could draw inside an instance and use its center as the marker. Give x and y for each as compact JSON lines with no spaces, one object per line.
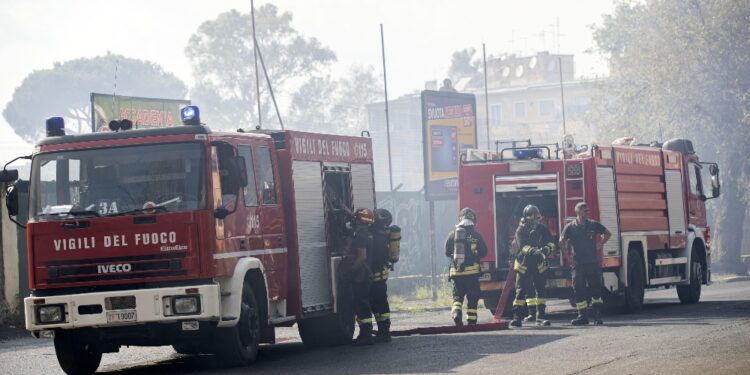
{"x":238,"y":345}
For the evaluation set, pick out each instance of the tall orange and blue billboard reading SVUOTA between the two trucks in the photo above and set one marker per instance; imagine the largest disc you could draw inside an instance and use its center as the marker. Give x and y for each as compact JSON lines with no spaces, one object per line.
{"x":449,"y":127}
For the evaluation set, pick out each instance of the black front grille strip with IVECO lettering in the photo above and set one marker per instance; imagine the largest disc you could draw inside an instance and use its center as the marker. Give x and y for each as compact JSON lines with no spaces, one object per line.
{"x":115,"y":268}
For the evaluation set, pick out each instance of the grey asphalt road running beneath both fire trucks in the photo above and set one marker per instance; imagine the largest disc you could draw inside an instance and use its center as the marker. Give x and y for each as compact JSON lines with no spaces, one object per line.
{"x":712,"y":337}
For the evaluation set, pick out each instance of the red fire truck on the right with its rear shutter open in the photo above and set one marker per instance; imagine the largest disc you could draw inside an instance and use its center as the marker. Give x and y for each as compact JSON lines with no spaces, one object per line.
{"x":651,"y":198}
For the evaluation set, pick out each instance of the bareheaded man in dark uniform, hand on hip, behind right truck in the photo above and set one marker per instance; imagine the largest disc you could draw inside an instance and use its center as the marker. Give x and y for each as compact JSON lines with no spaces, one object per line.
{"x":582,"y":235}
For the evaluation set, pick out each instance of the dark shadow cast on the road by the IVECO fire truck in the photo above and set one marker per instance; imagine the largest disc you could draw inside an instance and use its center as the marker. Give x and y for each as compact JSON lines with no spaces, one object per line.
{"x":427,"y":354}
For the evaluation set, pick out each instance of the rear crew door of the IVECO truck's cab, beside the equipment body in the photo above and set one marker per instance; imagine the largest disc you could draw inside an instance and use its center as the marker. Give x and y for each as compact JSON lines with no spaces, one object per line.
{"x":271,"y":222}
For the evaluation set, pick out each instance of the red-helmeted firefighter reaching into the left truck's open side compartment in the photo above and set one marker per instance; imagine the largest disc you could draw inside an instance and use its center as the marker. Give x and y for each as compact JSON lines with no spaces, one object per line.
{"x":357,"y":272}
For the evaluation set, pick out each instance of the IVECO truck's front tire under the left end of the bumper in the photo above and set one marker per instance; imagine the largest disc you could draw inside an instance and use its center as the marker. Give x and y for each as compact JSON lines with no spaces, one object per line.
{"x":76,"y":356}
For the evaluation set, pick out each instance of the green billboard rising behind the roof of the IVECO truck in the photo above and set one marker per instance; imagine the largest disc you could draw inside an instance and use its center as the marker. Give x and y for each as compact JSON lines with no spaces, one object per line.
{"x":144,"y":112}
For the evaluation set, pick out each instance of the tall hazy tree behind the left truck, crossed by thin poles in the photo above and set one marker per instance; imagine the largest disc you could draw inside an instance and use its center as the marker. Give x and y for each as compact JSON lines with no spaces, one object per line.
{"x":221,"y":53}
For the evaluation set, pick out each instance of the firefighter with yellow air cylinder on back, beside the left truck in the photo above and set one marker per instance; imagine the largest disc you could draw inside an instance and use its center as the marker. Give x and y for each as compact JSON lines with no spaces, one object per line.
{"x":380,"y":264}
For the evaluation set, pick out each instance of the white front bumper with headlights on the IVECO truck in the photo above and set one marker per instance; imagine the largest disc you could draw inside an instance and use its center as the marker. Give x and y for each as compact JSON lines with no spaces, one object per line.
{"x":123,"y":308}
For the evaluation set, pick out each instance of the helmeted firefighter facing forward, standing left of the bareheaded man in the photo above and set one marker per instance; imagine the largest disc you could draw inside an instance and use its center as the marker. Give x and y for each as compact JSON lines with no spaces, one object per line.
{"x":534,"y":243}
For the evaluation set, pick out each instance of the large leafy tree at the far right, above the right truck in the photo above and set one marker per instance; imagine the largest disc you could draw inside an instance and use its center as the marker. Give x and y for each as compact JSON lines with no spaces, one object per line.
{"x":682,"y":69}
